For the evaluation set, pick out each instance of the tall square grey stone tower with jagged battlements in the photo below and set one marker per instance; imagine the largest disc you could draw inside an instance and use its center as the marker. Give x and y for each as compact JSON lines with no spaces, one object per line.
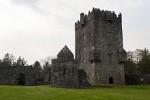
{"x":99,"y":46}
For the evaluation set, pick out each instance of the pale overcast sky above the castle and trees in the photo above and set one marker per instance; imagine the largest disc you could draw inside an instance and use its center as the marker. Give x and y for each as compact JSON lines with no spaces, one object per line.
{"x":36,"y":29}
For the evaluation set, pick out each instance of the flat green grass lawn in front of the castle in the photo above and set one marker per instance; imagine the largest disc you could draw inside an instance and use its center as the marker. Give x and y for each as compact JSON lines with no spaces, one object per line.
{"x":100,"y":92}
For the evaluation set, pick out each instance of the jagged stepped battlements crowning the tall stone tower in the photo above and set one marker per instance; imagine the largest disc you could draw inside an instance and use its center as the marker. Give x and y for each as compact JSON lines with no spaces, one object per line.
{"x":98,"y":14}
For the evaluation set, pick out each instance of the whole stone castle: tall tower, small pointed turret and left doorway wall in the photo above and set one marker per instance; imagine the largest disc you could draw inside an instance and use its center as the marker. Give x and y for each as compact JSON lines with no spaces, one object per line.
{"x":99,"y":56}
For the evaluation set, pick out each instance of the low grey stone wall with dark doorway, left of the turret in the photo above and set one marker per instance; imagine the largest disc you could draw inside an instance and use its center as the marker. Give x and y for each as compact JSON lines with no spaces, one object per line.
{"x":10,"y":75}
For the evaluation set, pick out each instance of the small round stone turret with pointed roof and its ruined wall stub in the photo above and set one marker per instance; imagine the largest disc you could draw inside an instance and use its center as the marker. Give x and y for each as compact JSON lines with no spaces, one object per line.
{"x":65,"y":72}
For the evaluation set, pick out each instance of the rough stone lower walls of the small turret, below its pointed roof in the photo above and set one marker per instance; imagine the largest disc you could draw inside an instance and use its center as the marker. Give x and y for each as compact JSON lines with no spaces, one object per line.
{"x":64,"y":75}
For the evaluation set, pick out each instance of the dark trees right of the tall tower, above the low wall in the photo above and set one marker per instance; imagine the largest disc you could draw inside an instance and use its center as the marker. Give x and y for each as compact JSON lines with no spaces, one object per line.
{"x":139,"y":58}
